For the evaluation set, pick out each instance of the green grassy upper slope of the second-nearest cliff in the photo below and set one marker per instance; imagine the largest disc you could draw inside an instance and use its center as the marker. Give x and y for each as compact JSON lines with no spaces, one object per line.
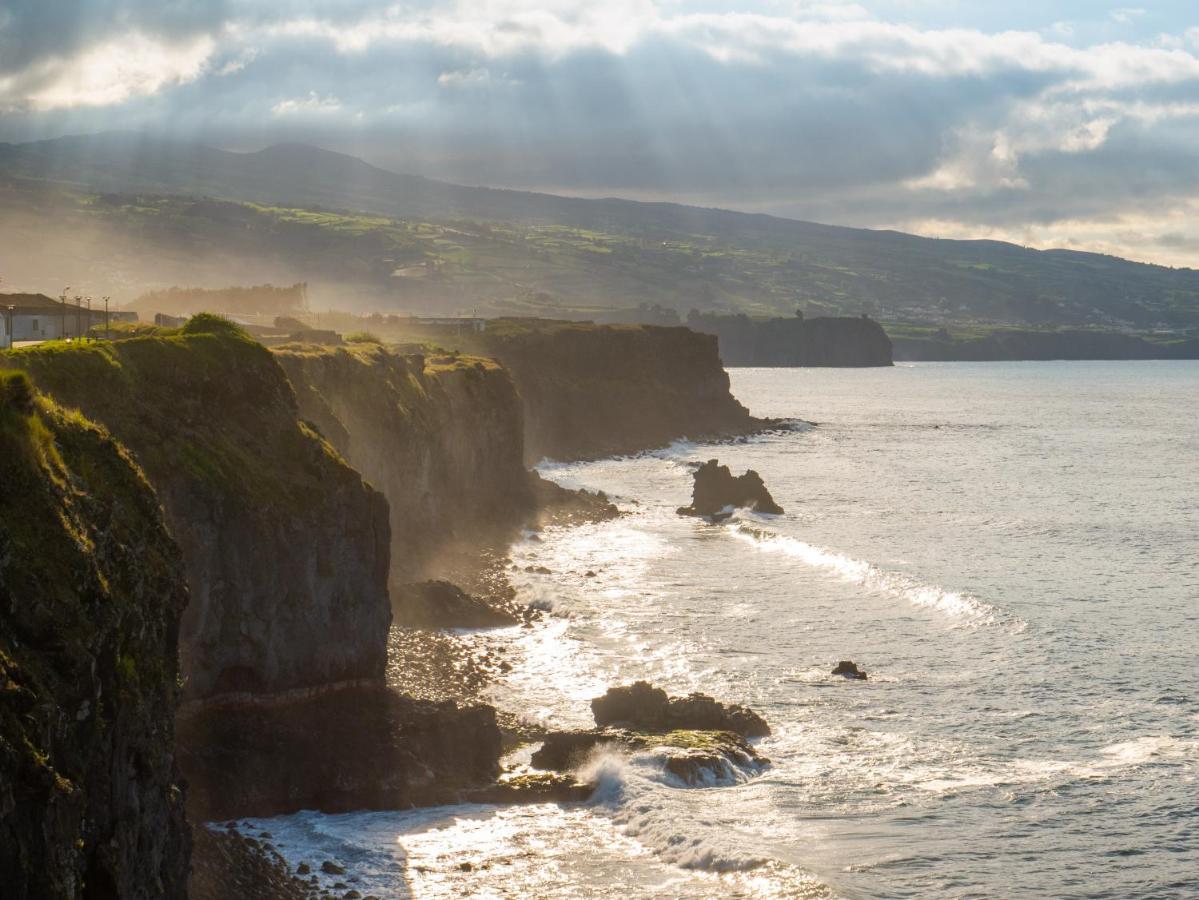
{"x":203,"y":404}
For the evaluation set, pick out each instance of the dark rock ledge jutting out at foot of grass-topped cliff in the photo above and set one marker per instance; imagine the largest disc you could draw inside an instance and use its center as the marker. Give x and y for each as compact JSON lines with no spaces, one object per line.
{"x":356,"y":748}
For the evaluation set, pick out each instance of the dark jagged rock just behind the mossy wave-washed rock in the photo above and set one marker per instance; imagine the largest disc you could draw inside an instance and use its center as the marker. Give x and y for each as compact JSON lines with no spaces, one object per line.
{"x":648,"y":709}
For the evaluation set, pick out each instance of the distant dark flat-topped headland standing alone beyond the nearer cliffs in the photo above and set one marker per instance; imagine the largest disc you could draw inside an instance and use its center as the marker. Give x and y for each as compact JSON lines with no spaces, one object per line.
{"x":823,"y":342}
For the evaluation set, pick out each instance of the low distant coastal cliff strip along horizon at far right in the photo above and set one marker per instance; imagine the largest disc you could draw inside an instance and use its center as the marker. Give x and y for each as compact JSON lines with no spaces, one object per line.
{"x":1043,"y":346}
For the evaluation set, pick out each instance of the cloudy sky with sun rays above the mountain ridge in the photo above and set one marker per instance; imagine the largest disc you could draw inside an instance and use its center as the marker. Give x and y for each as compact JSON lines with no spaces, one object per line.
{"x":1056,"y":124}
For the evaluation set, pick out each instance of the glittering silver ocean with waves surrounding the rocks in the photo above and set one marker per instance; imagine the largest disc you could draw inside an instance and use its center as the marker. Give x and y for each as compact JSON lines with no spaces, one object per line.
{"x":1011,"y":551}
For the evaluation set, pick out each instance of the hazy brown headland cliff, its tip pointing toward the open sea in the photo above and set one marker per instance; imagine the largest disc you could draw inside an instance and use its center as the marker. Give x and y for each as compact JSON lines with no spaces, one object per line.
{"x":593,"y":391}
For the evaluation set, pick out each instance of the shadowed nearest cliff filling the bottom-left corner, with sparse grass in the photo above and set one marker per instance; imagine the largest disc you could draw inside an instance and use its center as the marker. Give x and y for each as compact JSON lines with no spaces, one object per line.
{"x":92,"y":590}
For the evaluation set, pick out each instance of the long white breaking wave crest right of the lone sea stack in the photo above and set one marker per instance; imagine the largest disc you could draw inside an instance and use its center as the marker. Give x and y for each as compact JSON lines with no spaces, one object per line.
{"x":957,"y":605}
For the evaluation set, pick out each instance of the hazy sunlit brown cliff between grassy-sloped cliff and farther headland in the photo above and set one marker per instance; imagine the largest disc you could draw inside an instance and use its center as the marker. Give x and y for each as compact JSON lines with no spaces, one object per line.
{"x":442,"y":438}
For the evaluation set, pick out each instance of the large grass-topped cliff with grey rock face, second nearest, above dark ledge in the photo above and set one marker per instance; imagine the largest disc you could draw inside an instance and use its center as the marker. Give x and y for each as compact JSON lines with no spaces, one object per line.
{"x":286,"y":548}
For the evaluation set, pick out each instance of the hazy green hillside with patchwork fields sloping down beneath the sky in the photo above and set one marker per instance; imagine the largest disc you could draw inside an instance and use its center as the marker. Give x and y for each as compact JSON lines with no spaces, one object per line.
{"x":409,"y":243}
